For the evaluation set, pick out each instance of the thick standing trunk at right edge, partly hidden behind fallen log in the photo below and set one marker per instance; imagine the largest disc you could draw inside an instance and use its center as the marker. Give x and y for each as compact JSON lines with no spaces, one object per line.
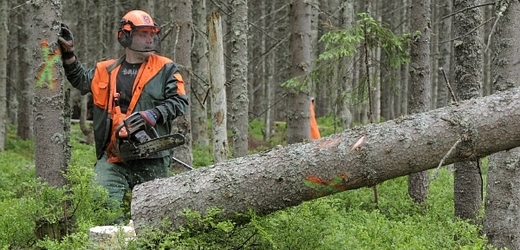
{"x":502,"y":197}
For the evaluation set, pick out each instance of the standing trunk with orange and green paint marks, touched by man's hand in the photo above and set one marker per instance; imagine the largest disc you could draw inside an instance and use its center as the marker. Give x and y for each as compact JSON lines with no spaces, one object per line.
{"x":51,"y":120}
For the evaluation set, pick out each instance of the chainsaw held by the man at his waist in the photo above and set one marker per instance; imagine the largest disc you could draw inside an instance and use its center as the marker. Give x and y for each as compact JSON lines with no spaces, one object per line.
{"x":142,"y":140}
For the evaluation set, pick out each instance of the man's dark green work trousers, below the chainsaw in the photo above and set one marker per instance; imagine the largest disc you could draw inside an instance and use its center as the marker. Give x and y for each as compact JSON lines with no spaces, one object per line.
{"x":118,"y":178}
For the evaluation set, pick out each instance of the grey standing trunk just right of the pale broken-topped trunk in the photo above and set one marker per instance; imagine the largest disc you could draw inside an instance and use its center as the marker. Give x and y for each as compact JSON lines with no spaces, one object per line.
{"x":239,"y":61}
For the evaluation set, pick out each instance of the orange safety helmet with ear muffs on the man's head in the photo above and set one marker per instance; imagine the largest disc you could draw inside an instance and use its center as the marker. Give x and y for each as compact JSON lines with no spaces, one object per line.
{"x":133,"y":20}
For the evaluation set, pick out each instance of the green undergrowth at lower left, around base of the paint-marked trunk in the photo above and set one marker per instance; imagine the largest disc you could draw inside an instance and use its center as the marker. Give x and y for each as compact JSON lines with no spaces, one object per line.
{"x":26,"y":204}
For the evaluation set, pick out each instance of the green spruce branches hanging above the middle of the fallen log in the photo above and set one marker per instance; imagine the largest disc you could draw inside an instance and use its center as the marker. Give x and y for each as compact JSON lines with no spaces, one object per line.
{"x":349,"y":45}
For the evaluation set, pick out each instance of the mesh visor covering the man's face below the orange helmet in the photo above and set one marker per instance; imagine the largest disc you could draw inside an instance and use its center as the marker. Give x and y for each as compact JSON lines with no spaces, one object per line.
{"x":146,"y":39}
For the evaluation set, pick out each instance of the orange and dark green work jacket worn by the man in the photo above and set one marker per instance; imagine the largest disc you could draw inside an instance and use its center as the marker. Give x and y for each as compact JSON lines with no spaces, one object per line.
{"x":163,"y":89}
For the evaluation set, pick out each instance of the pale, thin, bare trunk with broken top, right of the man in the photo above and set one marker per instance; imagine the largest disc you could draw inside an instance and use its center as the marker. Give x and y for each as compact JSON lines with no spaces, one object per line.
{"x":218,"y":91}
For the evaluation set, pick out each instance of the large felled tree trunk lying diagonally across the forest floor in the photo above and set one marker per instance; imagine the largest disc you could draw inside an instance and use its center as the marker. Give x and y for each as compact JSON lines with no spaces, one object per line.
{"x":355,"y":158}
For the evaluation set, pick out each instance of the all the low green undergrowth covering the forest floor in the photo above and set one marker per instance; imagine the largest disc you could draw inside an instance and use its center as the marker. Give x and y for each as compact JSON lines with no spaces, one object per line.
{"x":346,"y":220}
